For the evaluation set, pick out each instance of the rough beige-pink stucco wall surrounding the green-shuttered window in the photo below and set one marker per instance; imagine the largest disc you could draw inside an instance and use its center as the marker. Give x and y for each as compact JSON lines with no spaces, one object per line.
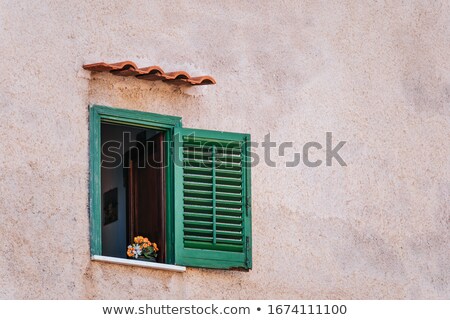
{"x":377,"y":75}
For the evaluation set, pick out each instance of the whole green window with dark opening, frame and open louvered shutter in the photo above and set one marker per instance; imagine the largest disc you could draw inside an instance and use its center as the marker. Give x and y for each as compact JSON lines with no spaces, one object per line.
{"x":186,"y":189}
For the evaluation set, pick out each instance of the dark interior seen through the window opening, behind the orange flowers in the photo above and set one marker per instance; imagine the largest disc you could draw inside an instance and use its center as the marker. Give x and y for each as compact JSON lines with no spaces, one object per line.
{"x":133,"y":188}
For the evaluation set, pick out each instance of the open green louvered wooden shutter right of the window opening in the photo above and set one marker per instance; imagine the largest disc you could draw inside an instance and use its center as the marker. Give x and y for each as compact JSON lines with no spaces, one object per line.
{"x":212,"y":199}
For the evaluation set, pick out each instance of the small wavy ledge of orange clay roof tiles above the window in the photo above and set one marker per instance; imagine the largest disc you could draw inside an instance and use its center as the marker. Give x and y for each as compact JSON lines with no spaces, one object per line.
{"x":153,"y":73}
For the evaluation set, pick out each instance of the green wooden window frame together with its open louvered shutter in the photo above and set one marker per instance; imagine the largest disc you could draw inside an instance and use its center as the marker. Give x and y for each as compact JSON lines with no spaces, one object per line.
{"x":208,"y":193}
